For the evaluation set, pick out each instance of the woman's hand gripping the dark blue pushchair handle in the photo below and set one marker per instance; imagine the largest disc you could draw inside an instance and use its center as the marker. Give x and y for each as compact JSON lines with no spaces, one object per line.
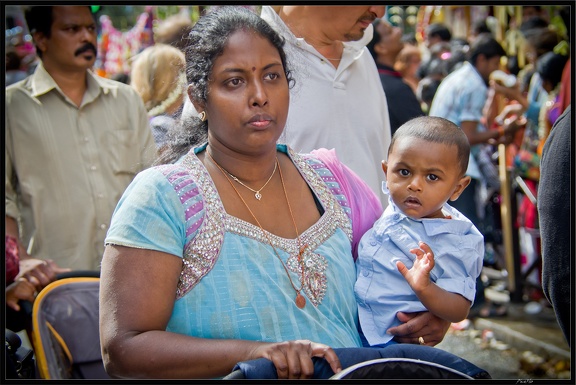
{"x":293,"y":359}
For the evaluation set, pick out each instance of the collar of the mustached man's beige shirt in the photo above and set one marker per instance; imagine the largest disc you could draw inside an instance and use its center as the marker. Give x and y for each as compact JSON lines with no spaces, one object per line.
{"x":41,"y":83}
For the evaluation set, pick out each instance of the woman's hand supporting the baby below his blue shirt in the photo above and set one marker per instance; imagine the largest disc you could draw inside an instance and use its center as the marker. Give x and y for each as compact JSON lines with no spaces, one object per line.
{"x":423,"y":325}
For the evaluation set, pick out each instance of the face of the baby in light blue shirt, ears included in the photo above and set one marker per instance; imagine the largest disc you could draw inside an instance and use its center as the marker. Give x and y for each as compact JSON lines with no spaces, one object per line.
{"x":421,"y":176}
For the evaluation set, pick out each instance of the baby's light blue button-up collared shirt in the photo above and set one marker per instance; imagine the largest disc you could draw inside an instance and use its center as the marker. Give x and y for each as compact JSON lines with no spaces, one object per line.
{"x":382,"y":291}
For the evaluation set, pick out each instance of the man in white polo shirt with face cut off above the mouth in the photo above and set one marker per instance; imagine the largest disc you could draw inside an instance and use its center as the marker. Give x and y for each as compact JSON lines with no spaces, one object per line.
{"x":337,"y":101}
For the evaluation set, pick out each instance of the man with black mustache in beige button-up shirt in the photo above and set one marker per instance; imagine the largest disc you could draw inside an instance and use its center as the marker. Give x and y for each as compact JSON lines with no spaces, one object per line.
{"x":74,"y":141}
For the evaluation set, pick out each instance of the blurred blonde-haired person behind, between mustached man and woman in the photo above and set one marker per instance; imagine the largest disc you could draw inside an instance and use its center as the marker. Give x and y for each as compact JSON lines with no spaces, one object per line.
{"x":158,"y":75}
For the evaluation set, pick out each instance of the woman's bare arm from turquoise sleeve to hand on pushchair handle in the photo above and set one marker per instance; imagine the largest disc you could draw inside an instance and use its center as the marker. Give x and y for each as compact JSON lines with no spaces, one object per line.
{"x":137,"y":294}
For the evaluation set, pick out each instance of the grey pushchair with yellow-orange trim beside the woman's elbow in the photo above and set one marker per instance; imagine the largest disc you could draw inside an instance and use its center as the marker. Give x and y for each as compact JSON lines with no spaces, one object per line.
{"x":65,"y":330}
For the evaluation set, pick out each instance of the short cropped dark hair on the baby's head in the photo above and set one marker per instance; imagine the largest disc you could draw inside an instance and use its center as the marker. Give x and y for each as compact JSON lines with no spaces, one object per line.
{"x":436,"y":130}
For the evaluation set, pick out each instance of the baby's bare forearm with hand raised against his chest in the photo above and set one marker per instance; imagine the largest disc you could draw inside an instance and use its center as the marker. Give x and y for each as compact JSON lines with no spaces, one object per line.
{"x":447,"y":305}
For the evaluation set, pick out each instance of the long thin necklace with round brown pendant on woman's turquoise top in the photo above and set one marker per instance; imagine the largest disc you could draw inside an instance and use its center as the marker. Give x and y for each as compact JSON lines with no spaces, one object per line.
{"x":300,"y":299}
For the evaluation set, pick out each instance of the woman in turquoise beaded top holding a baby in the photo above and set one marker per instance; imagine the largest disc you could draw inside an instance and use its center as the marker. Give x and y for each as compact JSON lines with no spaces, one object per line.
{"x":240,"y":249}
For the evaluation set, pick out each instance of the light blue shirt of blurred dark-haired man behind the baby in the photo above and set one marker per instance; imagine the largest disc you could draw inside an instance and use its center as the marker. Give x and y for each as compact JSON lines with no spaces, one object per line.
{"x":461,"y":97}
